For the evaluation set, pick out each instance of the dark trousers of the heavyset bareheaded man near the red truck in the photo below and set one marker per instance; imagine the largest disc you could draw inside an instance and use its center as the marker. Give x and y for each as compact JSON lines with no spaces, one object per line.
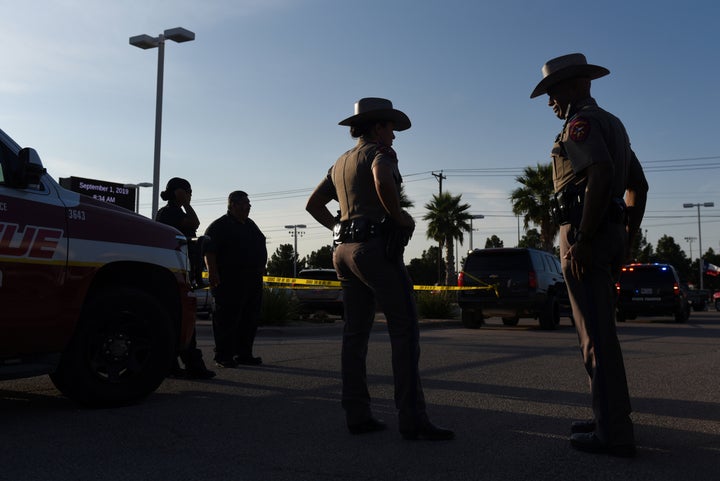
{"x":237,"y":314}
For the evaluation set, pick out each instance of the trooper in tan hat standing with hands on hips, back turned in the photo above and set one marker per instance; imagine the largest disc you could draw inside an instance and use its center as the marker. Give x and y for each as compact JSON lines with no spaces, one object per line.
{"x":370,"y":238}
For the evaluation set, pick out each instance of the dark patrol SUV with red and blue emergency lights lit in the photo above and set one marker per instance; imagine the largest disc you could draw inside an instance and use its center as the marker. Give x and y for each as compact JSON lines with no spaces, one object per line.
{"x":651,"y":290}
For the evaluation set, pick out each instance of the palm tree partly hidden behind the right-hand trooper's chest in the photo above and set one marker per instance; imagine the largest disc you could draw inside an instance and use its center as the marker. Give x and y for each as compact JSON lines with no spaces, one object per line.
{"x":532,"y":201}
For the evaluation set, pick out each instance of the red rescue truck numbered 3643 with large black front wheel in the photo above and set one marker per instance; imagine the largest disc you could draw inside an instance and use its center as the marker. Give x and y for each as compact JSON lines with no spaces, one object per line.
{"x":91,"y":293}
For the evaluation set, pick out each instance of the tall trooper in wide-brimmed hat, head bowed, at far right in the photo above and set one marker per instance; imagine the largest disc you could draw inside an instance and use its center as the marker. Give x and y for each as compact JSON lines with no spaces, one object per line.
{"x":600,"y":192}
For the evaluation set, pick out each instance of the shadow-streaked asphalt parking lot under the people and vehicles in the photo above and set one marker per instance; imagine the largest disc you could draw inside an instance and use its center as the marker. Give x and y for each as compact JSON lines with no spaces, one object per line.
{"x":509,"y":393}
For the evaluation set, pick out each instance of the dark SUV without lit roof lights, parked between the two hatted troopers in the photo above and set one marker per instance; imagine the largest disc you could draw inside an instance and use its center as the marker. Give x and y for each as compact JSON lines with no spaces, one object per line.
{"x":519,"y":283}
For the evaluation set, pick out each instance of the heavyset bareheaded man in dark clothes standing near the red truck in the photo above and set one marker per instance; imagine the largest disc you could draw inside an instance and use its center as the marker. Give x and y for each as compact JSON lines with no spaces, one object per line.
{"x":236,"y":256}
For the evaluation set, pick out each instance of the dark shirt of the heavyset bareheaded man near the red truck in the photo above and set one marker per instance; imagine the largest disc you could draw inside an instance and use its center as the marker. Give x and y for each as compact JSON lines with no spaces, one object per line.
{"x":238,"y":246}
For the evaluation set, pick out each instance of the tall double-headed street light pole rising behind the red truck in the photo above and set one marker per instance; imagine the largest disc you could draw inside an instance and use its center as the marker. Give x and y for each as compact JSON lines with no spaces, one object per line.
{"x":145,"y":42}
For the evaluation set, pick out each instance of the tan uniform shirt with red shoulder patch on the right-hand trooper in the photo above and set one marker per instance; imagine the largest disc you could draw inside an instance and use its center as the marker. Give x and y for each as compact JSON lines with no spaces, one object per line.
{"x":591,"y":136}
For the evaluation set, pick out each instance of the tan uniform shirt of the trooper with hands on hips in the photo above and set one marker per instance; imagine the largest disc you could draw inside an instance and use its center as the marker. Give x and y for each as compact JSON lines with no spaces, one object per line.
{"x":351,"y":180}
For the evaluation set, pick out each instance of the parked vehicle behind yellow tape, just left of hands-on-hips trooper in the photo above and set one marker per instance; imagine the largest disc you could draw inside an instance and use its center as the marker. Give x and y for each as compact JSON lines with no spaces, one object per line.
{"x":319,"y":297}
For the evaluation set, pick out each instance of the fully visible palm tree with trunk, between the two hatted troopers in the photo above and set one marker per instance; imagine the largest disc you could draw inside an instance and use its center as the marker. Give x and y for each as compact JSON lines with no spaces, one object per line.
{"x":448,"y":220}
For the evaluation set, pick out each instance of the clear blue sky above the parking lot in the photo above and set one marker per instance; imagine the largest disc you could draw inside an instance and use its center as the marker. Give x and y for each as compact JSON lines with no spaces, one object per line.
{"x":253,"y":103}
